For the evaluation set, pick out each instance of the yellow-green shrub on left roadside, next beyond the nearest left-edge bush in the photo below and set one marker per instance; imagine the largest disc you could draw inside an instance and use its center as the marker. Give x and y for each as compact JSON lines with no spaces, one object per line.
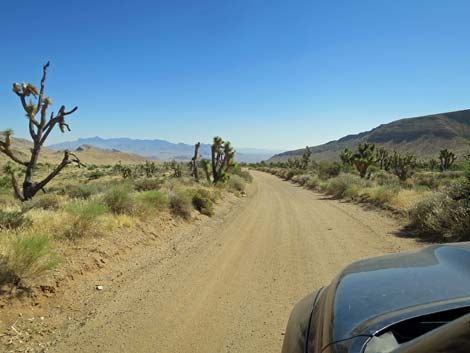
{"x":83,"y":219}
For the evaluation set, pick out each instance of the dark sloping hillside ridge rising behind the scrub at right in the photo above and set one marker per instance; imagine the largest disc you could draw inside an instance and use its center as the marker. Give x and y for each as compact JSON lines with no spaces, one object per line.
{"x":423,"y":136}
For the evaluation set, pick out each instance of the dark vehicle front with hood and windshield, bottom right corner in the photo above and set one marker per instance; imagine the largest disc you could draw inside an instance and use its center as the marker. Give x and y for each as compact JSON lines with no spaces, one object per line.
{"x":416,"y":302}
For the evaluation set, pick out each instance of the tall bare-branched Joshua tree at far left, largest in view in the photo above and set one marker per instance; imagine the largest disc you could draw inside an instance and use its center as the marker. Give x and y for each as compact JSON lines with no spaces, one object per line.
{"x":40,"y":126}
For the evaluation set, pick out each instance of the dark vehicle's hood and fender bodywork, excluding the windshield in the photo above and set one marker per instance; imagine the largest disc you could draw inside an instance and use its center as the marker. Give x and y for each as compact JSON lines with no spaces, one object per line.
{"x":370,"y":295}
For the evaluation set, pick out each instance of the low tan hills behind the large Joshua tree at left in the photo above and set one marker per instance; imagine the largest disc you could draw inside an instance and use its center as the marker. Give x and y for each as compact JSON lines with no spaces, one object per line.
{"x":87,"y":154}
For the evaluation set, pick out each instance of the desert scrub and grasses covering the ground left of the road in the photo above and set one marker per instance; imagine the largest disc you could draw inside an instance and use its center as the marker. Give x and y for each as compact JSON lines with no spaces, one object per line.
{"x":79,"y":204}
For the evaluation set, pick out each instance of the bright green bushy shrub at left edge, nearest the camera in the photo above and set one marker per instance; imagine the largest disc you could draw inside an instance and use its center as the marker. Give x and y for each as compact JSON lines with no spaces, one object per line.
{"x":28,"y":258}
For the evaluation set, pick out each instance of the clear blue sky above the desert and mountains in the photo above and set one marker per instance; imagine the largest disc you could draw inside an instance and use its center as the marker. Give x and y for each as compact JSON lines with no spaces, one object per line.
{"x":273,"y":74}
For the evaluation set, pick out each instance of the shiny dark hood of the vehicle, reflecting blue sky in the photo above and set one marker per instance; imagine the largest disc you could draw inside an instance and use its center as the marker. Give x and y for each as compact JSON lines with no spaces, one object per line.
{"x":373,"y":288}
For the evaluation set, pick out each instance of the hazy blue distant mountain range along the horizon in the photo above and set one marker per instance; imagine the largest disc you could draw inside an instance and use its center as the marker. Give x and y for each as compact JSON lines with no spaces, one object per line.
{"x":160,"y":149}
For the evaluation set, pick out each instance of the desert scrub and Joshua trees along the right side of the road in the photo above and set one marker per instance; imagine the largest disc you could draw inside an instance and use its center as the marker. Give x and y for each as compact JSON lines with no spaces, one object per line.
{"x":433,"y":193}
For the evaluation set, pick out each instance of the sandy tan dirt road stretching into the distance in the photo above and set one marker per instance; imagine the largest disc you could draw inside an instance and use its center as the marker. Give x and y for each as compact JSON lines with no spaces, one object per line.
{"x":231,"y":284}
